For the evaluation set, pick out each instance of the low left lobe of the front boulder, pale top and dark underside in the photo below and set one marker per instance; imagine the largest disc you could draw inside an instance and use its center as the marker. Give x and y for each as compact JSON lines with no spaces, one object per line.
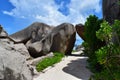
{"x":39,"y":48}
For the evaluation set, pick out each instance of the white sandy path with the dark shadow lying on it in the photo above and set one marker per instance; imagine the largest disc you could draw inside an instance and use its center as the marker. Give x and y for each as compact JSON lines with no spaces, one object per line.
{"x":70,"y":68}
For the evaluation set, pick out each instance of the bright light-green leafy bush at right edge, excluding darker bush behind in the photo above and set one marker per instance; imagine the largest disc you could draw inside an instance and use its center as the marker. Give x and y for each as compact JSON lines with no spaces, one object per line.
{"x":109,"y":55}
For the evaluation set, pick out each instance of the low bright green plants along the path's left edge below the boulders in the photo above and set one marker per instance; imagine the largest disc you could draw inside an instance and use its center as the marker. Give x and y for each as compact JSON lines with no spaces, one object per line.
{"x":49,"y":61}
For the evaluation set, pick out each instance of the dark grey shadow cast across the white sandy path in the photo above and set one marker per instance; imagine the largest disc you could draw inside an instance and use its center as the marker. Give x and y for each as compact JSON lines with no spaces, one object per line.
{"x":77,"y":68}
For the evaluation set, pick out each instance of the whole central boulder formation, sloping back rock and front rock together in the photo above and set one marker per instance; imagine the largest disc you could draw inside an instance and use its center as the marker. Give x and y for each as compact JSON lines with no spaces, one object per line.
{"x":40,"y":38}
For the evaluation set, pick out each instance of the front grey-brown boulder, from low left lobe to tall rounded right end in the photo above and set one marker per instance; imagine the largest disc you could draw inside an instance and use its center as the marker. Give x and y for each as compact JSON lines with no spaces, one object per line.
{"x":60,"y":39}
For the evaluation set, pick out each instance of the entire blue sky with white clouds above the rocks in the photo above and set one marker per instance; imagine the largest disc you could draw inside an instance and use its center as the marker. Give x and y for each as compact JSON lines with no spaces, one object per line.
{"x":18,"y":14}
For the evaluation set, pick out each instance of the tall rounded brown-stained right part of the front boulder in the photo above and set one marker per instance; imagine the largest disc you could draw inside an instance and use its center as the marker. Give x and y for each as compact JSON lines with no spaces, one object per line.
{"x":63,"y":37}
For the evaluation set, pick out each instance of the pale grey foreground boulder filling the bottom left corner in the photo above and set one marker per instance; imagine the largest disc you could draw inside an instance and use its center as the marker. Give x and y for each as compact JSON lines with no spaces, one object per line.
{"x":13,"y":66}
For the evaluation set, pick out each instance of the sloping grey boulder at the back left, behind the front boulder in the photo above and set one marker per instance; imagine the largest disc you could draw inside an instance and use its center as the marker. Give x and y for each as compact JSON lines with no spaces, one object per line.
{"x":34,"y":32}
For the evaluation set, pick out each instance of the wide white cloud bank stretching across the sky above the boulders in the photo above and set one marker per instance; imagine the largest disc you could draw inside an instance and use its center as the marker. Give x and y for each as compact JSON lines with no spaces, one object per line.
{"x":47,"y":11}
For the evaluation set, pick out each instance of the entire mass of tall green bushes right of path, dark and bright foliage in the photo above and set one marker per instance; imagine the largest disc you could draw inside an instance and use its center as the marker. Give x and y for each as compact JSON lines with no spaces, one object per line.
{"x":102,"y":46}
